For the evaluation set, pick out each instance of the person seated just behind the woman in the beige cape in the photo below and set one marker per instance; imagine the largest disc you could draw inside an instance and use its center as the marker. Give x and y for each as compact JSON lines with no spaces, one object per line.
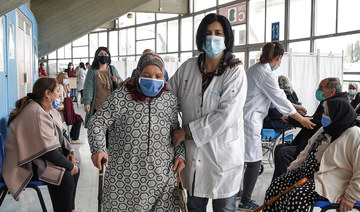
{"x":64,"y":87}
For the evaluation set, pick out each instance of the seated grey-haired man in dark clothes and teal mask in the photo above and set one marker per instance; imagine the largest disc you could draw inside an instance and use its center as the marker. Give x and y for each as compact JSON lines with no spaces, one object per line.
{"x":286,"y":153}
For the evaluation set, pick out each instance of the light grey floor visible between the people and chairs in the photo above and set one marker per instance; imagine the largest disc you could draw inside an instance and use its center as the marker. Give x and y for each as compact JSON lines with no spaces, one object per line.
{"x":87,"y":189}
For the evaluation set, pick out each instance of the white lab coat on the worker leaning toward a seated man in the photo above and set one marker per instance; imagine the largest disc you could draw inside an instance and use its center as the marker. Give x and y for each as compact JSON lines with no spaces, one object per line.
{"x":263,"y":88}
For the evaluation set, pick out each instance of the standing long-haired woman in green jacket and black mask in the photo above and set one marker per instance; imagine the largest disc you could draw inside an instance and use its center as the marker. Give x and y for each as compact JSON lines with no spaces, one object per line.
{"x":99,"y":82}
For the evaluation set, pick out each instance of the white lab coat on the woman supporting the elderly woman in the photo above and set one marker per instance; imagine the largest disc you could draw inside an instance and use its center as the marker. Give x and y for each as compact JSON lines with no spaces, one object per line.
{"x":216,"y":152}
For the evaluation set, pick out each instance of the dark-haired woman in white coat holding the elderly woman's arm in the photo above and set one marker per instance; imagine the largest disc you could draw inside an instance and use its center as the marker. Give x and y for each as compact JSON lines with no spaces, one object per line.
{"x":211,"y":89}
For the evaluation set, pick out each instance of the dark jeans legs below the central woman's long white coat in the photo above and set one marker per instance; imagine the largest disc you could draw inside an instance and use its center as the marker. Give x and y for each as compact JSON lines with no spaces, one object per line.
{"x":198,"y":204}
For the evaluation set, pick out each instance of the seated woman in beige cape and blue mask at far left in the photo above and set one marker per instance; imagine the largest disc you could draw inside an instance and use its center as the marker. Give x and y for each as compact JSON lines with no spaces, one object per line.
{"x":37,"y":147}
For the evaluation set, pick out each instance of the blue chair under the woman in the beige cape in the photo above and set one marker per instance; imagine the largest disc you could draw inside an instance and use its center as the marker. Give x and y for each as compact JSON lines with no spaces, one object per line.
{"x":32,"y":184}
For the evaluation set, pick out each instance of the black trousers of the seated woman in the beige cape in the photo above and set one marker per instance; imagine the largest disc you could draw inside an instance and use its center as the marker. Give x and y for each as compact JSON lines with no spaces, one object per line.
{"x":63,"y":195}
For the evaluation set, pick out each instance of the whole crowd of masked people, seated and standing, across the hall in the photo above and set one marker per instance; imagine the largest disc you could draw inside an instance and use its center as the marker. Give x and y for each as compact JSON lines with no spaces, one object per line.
{"x":217,"y":147}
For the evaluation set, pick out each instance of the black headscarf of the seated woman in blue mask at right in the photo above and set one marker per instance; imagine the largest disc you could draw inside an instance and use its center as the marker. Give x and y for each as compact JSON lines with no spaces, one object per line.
{"x":342,"y":117}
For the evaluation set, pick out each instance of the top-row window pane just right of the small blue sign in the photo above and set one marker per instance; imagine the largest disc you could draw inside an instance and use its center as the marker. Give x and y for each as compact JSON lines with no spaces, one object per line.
{"x":300,"y":18}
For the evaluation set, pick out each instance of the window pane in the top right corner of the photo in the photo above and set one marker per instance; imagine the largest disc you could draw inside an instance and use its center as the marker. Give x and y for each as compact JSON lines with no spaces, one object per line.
{"x":349,"y":15}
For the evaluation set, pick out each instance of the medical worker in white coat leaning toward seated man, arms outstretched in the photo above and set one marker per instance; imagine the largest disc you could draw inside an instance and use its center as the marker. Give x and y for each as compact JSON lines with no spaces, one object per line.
{"x":263,"y":88}
